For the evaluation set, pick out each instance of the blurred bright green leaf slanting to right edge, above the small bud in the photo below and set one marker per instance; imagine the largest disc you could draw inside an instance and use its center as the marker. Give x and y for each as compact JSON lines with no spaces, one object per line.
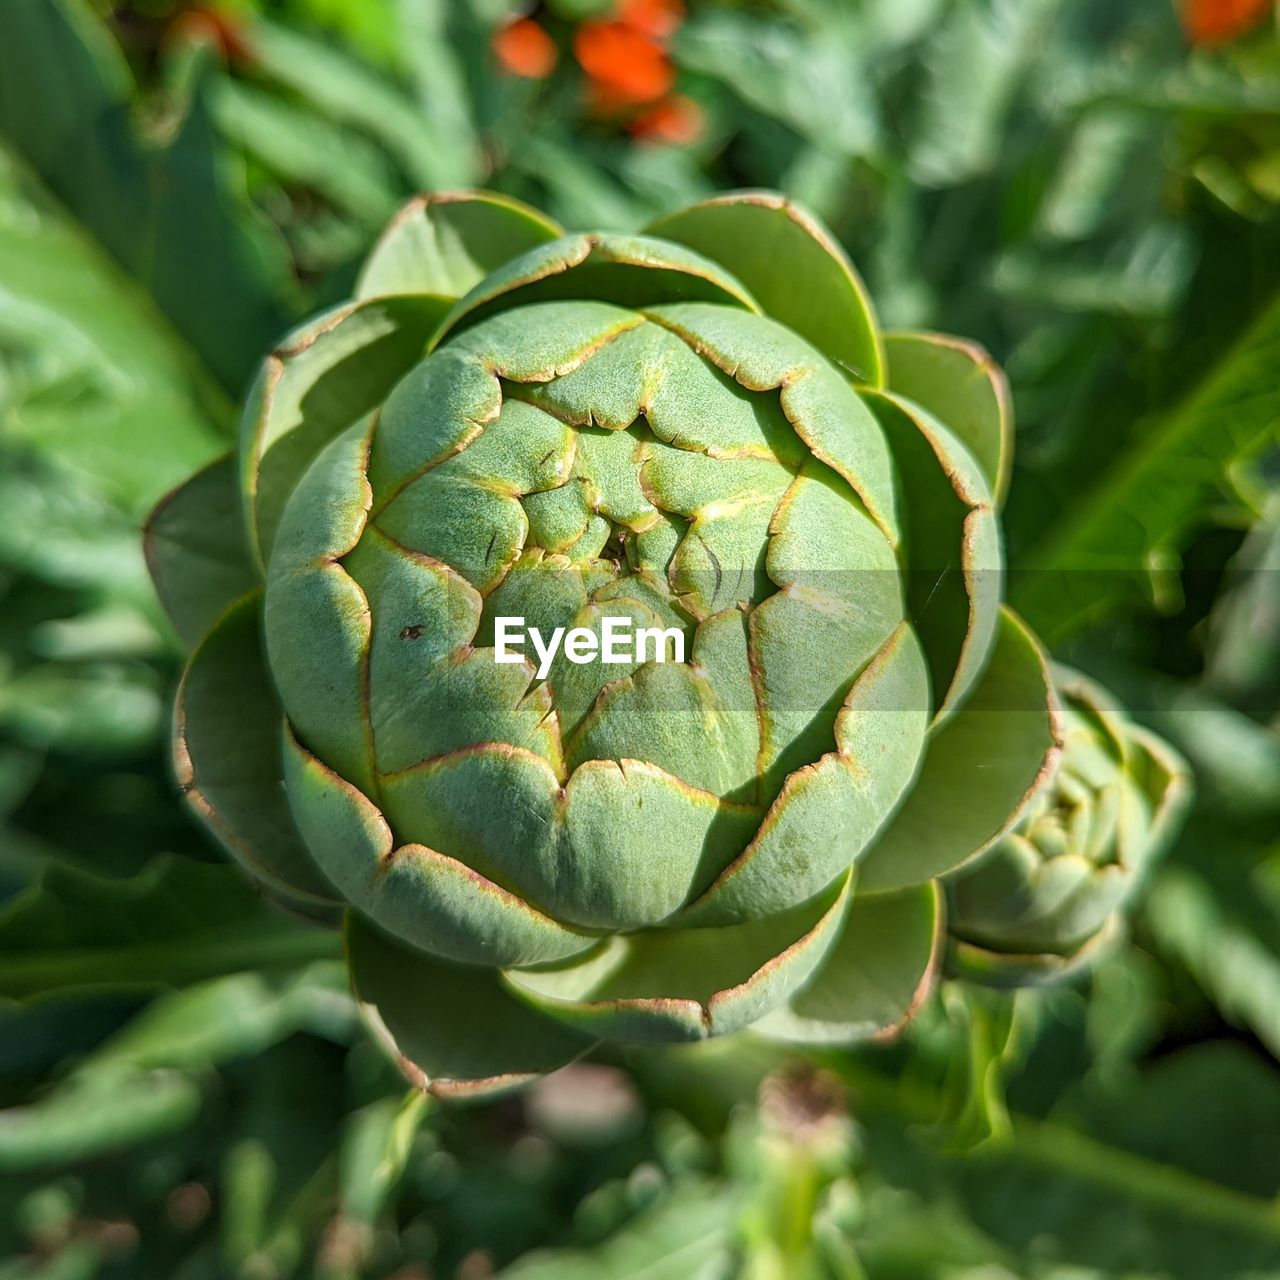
{"x":1096,"y":561}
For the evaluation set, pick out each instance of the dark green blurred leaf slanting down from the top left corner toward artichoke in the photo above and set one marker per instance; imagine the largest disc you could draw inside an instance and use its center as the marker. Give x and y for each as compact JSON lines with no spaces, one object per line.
{"x":164,"y":212}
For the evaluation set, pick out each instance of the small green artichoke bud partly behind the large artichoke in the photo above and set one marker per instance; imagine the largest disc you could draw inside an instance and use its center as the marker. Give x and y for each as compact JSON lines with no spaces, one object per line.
{"x":1050,"y":895}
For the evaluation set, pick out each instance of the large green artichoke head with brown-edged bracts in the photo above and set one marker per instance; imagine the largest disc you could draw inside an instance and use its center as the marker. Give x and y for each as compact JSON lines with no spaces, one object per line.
{"x":700,"y":437}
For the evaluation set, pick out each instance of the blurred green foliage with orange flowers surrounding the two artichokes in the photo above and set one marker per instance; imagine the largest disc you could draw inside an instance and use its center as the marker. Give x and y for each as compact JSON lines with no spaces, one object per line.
{"x":1091,"y":189}
